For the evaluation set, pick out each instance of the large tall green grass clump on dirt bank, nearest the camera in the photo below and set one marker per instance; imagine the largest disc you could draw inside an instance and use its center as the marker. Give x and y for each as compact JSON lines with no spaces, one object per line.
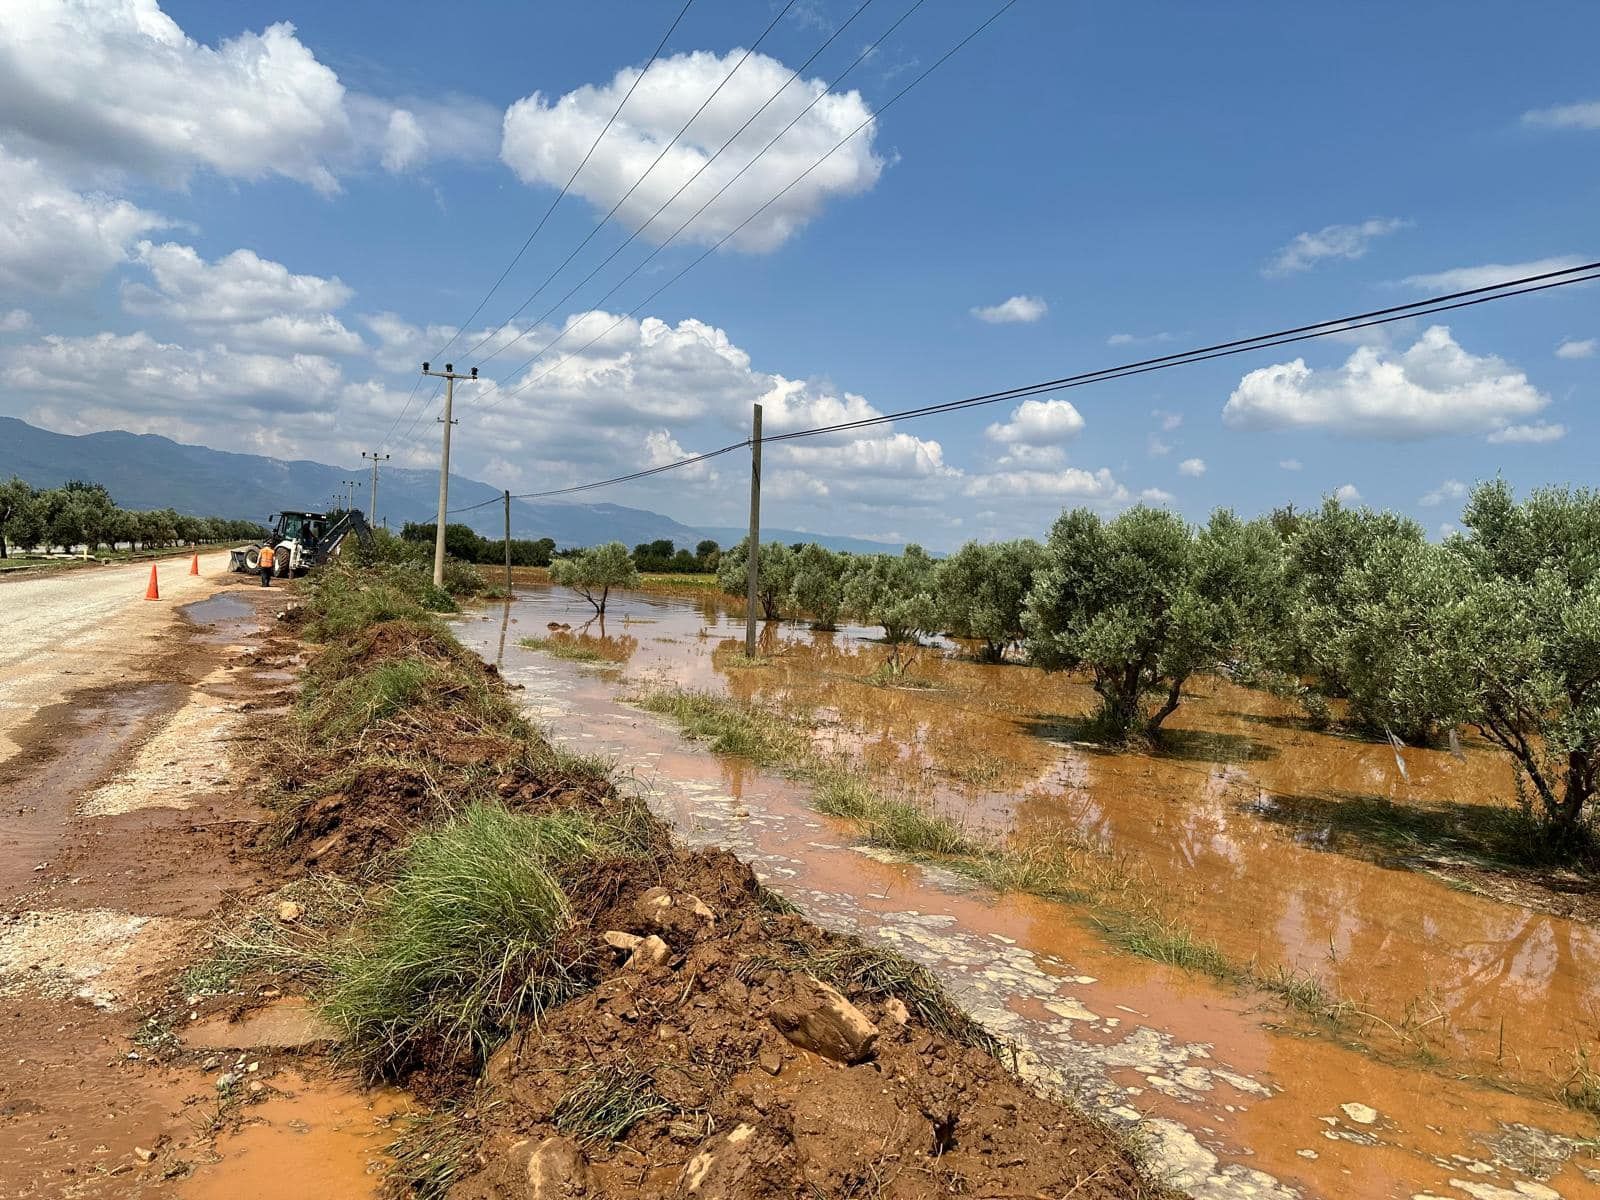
{"x":460,"y":942}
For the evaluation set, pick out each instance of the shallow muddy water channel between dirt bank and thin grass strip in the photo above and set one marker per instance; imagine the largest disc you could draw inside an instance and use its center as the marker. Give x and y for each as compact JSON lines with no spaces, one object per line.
{"x":1217,"y":1102}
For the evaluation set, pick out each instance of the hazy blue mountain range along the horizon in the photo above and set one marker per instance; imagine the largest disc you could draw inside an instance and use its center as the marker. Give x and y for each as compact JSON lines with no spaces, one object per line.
{"x":146,"y":471}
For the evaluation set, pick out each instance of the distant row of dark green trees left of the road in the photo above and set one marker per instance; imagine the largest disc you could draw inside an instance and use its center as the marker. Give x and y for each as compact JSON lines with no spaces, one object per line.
{"x":84,"y":514}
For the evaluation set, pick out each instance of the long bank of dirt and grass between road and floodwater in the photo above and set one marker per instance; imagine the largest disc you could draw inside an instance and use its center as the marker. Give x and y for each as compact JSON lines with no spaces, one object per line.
{"x":463,"y":881}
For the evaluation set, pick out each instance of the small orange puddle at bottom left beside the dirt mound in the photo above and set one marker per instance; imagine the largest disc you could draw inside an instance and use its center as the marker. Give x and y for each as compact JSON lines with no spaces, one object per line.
{"x":313,"y":1140}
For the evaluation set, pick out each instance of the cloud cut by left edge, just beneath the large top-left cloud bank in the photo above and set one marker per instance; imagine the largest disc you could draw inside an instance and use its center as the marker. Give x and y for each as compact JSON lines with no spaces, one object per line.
{"x":58,"y":241}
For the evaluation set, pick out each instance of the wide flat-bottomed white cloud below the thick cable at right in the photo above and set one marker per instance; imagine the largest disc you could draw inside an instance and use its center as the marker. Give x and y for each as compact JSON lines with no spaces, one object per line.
{"x":1433,"y":388}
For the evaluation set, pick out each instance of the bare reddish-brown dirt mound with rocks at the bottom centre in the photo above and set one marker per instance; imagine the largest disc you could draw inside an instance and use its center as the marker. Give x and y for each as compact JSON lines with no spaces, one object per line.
{"x":674,"y":1081}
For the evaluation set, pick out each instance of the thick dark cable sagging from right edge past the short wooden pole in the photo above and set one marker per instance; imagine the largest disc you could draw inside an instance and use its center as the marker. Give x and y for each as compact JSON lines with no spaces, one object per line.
{"x":1398,"y":313}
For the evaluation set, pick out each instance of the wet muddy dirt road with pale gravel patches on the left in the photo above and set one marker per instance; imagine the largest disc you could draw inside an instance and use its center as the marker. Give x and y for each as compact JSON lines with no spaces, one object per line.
{"x":127,"y":810}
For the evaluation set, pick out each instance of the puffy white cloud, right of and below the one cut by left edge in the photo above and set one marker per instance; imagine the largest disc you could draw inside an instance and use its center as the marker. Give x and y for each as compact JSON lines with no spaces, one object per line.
{"x":254,"y":302}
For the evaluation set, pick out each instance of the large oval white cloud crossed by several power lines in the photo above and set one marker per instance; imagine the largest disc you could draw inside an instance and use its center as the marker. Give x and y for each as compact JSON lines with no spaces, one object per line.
{"x":546,"y":140}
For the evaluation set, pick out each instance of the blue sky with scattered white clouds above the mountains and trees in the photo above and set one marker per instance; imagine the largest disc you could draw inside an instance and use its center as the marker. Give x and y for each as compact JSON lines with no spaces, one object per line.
{"x":244,"y":225}
